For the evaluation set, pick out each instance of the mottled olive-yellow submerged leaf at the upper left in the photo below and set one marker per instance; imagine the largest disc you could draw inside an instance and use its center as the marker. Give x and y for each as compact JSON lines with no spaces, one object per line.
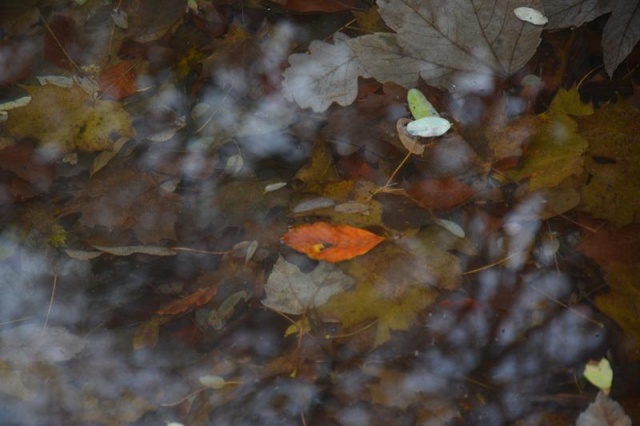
{"x":65,"y":120}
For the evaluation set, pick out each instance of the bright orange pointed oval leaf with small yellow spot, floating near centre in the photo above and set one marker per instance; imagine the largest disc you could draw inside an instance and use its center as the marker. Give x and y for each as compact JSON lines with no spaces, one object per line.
{"x":333,"y":243}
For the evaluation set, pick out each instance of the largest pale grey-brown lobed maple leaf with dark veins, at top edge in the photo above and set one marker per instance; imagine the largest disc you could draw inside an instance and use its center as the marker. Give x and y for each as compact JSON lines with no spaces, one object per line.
{"x":442,"y":42}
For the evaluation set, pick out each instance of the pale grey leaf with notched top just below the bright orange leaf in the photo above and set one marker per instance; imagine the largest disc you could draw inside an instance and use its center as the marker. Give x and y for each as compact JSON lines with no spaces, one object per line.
{"x":291,"y":291}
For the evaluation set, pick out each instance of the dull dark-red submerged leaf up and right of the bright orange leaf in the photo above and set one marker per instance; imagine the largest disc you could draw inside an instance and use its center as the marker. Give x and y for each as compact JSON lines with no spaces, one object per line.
{"x":440,"y":194}
